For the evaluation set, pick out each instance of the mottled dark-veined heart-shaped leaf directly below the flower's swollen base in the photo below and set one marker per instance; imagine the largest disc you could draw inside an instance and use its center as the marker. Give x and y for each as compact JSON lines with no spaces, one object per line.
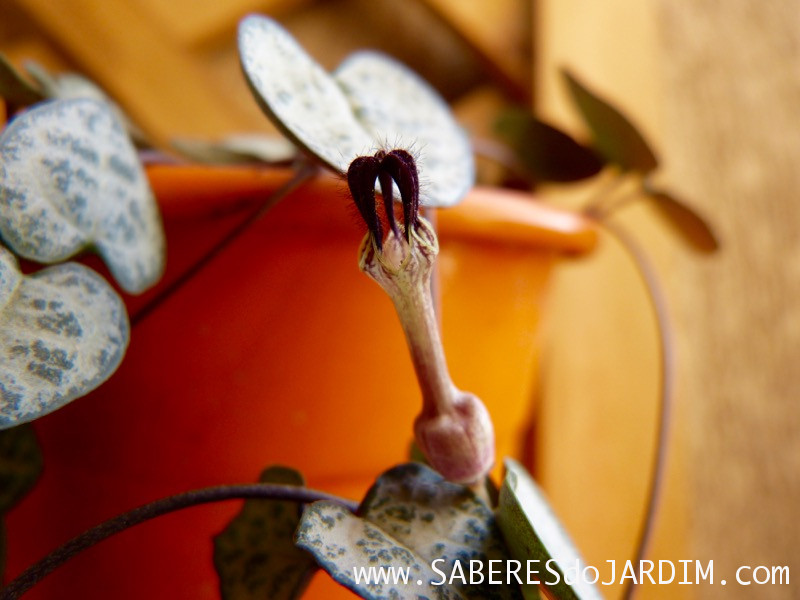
{"x":410,"y":518}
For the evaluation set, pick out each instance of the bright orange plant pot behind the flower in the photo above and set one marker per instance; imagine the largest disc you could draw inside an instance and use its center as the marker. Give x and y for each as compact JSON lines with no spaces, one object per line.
{"x":279,"y":351}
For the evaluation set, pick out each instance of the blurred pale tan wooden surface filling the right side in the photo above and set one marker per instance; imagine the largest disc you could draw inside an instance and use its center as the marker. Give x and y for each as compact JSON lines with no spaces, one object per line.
{"x":716,"y":86}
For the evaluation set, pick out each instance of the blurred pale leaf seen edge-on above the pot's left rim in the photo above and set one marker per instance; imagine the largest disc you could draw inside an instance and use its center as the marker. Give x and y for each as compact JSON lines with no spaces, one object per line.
{"x":237,"y":149}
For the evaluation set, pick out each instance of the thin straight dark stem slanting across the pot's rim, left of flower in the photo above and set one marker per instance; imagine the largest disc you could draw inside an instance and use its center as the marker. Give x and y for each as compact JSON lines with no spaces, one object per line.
{"x":306,"y":171}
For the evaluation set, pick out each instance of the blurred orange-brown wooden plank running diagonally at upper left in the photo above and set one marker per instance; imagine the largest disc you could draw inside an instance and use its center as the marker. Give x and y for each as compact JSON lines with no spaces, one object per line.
{"x":163,"y":87}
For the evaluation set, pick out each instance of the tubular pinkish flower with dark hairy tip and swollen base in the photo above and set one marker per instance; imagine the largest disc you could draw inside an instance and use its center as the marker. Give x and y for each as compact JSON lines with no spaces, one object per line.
{"x":454,"y":429}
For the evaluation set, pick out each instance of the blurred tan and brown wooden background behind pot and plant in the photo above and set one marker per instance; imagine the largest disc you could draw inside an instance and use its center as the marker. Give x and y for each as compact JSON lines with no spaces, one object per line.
{"x":714,"y":85}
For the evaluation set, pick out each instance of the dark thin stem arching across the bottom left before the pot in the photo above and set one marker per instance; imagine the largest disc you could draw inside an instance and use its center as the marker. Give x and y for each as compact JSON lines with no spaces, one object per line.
{"x":97,"y":534}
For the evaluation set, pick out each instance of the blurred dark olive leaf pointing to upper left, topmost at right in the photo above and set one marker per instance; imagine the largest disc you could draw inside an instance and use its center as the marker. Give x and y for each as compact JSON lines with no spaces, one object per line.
{"x":615,"y":138}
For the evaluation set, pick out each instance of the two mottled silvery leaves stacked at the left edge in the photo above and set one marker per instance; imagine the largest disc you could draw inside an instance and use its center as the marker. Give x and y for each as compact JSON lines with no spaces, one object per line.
{"x":70,"y":179}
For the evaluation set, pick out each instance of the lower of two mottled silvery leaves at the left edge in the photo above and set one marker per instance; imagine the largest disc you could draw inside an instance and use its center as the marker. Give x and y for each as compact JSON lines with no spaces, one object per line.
{"x":63,"y":331}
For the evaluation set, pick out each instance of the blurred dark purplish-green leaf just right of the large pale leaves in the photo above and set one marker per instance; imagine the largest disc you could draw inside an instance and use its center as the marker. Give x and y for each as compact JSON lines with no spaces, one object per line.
{"x":548,"y":153}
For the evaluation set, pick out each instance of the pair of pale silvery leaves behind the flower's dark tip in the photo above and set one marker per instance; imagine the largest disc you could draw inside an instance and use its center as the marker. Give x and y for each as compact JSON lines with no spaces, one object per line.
{"x":370,"y":101}
